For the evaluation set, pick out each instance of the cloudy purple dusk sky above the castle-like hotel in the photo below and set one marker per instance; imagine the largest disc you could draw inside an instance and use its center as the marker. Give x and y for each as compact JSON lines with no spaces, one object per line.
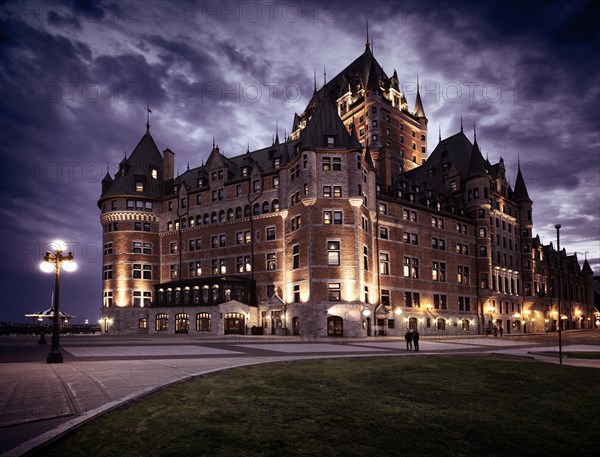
{"x":75,"y":78}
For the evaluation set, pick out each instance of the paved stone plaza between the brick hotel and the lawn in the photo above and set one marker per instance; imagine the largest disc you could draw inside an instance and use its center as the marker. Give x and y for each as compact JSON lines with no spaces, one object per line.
{"x":39,"y":402}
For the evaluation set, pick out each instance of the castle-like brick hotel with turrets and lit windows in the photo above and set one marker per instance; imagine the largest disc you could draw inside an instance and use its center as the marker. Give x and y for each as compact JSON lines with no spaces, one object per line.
{"x":345,"y":228}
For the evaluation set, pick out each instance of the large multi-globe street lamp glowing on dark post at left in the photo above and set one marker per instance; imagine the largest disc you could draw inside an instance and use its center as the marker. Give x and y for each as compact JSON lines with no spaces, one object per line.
{"x":54,"y":262}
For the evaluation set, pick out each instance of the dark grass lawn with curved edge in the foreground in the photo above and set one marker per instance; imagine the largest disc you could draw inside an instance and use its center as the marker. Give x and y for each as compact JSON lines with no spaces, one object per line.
{"x":379,"y":406}
